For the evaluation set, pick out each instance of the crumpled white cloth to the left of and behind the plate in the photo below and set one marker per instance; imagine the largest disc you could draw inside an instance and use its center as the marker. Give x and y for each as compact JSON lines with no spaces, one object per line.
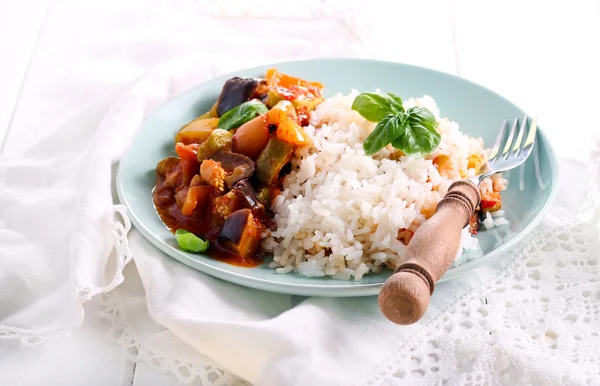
{"x":57,"y":226}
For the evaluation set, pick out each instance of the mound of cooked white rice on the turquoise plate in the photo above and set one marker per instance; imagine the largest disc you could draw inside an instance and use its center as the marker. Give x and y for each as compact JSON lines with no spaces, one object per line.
{"x":340,"y":211}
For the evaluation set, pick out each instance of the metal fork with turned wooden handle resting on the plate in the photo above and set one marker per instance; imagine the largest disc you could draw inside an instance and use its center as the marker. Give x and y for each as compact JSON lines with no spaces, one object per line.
{"x":405,"y":295}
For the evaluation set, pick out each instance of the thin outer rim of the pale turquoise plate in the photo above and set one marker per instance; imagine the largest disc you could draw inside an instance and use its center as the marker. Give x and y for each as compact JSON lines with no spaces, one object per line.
{"x":343,"y":289}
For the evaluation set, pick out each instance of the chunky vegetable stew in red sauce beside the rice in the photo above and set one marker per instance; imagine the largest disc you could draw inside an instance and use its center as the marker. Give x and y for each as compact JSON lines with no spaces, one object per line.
{"x":230,"y":163}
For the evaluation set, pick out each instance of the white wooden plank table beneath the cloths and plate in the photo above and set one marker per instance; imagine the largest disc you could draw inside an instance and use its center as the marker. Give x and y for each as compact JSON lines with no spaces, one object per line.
{"x":544,"y":55}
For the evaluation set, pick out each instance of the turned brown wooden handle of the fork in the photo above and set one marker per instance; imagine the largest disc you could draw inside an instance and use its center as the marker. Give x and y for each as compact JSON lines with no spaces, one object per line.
{"x":405,"y":295}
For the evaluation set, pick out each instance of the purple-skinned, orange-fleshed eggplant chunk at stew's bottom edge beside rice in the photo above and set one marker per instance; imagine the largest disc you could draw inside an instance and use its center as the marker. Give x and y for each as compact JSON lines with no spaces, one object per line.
{"x":240,"y":233}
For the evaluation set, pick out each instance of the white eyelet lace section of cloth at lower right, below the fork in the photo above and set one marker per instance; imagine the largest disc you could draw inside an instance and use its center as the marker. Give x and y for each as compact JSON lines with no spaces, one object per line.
{"x":460,"y":345}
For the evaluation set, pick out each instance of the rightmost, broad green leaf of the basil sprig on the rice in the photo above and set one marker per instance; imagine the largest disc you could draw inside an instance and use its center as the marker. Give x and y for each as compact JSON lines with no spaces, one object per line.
{"x":419,"y":137}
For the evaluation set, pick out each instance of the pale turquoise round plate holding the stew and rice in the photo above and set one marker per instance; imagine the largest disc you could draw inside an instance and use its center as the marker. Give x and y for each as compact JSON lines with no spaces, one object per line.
{"x":478,"y":111}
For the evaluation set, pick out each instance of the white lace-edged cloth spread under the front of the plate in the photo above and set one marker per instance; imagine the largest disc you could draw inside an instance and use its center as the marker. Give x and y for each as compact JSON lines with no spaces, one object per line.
{"x":272,"y":339}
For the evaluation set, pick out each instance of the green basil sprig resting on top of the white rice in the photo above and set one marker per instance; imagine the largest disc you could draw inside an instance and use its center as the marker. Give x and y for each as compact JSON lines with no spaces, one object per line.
{"x":413,"y":131}
